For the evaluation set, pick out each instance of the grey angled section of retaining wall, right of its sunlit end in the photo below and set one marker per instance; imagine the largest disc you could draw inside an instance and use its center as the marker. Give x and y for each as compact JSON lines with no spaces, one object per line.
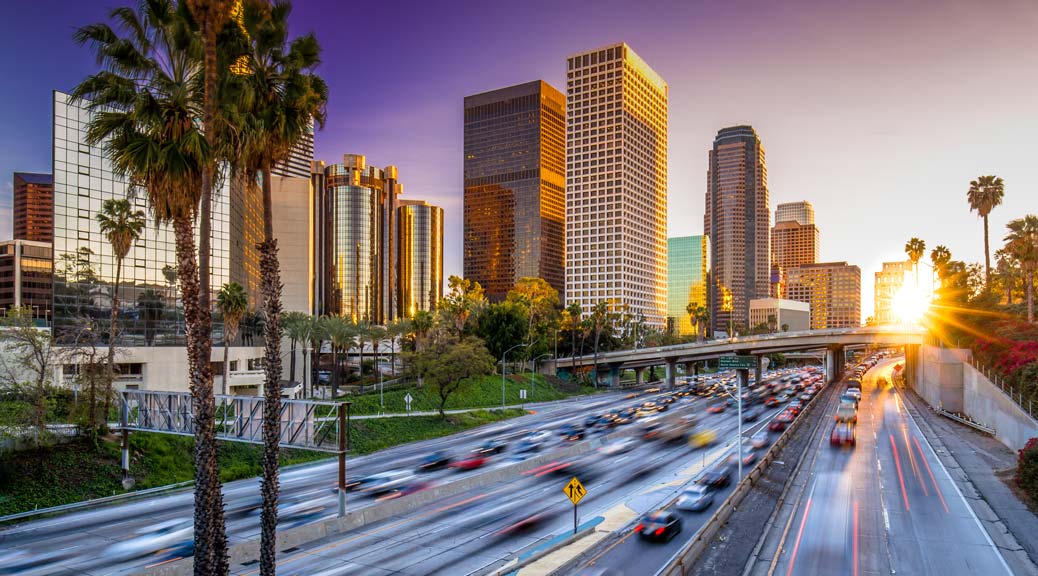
{"x":990,"y":406}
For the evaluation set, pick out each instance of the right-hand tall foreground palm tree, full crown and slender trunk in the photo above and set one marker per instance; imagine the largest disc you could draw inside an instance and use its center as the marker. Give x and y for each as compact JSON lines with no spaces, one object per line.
{"x":281,"y":99}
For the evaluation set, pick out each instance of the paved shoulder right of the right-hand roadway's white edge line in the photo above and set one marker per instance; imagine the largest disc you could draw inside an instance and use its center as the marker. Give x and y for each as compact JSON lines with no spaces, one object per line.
{"x":974,"y":459}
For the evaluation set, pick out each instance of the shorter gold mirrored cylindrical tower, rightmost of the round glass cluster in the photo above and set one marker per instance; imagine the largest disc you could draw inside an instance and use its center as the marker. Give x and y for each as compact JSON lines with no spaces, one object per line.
{"x":421,"y":246}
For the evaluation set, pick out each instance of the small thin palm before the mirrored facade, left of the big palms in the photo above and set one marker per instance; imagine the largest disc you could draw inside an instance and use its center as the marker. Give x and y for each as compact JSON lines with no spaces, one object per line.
{"x":122,"y":227}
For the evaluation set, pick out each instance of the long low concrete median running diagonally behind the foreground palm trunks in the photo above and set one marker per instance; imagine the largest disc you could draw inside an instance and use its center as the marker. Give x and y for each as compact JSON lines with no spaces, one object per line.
{"x":249,"y":551}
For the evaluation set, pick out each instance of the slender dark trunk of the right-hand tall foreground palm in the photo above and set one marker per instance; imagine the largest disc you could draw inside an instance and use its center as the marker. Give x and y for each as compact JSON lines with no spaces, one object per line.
{"x":271,"y":289}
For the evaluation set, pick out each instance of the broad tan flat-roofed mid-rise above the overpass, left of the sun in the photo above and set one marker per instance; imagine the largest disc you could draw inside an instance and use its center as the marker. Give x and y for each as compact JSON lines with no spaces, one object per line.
{"x":833,"y":290}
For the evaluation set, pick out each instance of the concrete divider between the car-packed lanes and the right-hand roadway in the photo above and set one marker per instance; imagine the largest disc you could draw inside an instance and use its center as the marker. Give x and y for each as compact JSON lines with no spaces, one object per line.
{"x":684,"y":561}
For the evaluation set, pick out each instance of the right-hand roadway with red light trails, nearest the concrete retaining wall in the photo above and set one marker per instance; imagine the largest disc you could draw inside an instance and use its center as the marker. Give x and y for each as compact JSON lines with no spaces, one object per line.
{"x":888,"y":506}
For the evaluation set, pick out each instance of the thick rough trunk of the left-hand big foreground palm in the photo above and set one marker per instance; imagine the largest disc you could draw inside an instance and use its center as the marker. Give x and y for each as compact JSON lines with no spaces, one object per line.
{"x":210,"y":533}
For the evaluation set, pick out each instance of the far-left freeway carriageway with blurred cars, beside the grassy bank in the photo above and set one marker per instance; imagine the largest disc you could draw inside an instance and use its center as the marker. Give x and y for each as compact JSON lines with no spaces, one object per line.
{"x":81,"y":540}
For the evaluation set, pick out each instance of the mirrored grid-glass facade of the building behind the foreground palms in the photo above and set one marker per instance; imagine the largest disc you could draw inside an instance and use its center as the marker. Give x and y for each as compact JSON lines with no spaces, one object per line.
{"x":151,"y":312}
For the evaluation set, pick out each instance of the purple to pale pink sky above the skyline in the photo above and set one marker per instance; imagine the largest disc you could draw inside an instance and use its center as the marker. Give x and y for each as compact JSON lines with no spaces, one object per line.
{"x":880,"y":114}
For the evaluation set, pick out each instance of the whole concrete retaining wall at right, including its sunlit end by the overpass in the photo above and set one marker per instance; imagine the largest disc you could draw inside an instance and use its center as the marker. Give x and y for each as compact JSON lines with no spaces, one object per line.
{"x":945,"y":379}
